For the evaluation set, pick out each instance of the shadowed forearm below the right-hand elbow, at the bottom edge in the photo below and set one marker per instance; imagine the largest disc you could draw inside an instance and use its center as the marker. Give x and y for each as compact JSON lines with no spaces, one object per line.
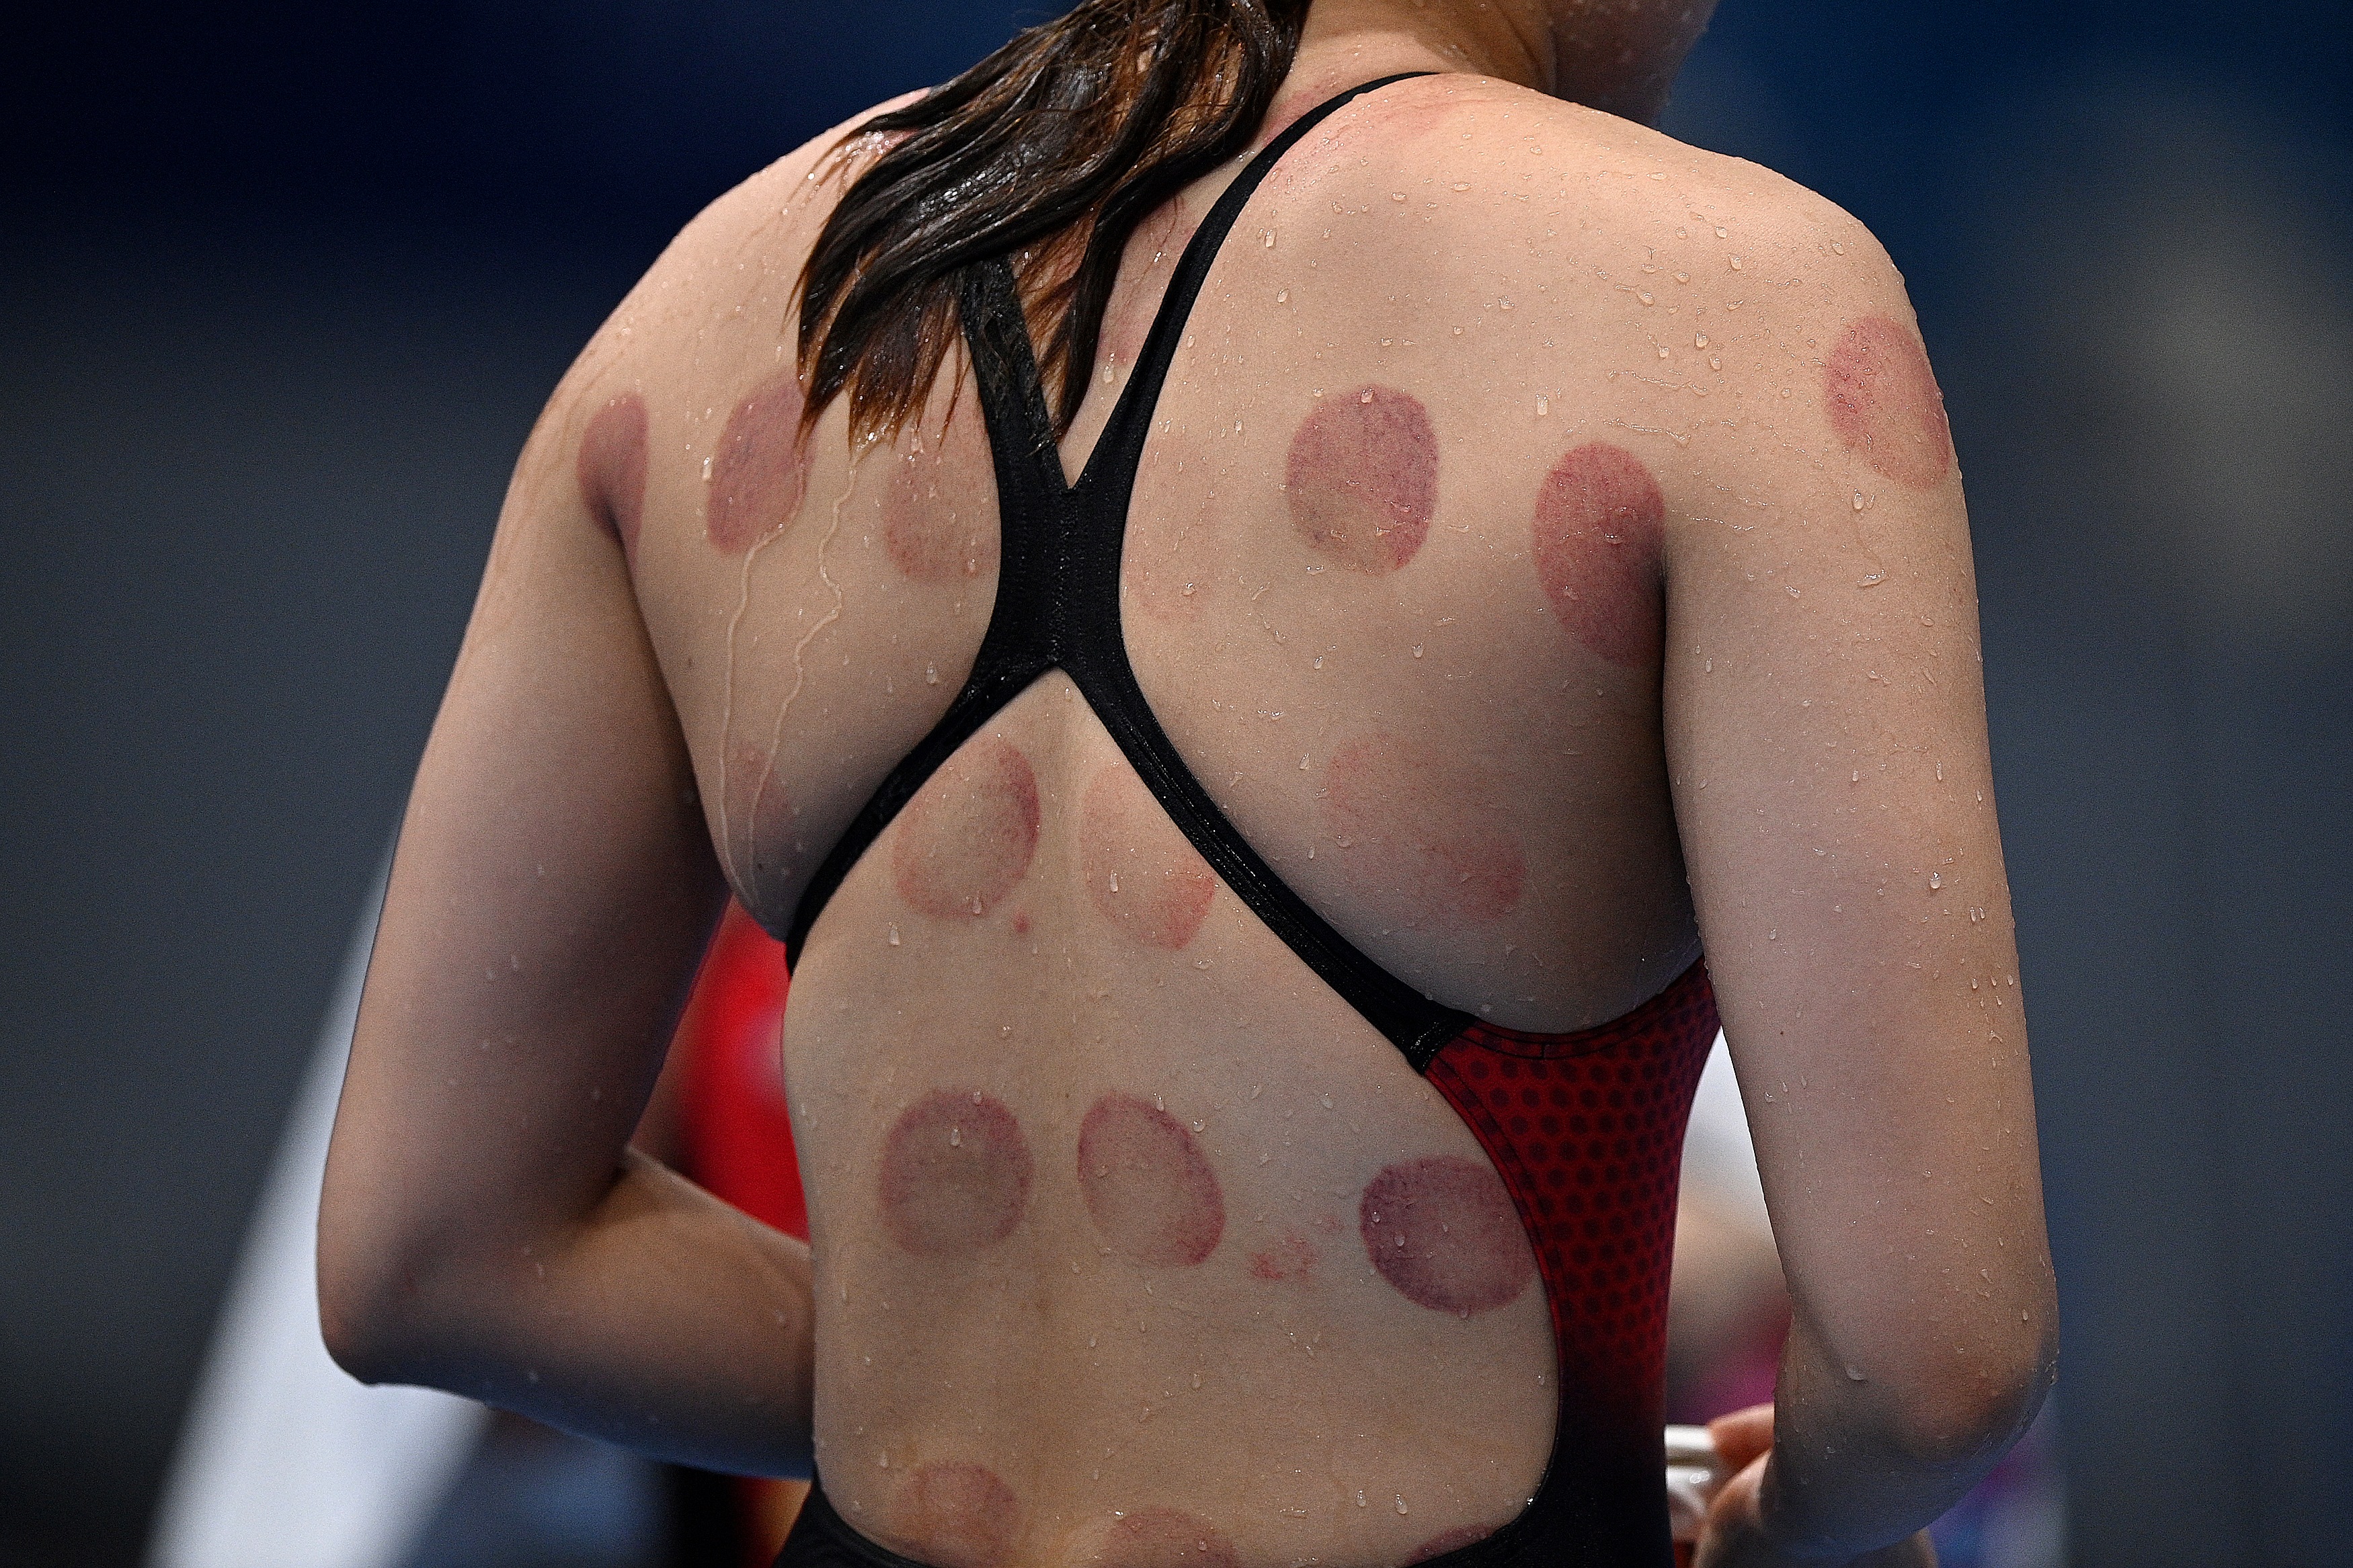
{"x":1862,"y":1466}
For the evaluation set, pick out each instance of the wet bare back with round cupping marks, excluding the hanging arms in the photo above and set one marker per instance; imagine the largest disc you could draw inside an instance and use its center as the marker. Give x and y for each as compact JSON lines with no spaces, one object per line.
{"x":1133,"y":1242}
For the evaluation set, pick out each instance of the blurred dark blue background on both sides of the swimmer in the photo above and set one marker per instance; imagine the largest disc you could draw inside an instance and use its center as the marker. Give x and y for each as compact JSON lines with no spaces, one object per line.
{"x":286,"y":288}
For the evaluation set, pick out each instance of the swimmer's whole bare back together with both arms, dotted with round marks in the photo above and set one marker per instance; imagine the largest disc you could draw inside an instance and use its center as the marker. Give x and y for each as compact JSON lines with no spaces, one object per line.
{"x":1547,"y":551}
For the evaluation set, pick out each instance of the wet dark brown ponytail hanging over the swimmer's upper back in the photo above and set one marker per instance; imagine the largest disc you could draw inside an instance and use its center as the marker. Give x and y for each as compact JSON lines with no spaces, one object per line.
{"x":1053,"y":149}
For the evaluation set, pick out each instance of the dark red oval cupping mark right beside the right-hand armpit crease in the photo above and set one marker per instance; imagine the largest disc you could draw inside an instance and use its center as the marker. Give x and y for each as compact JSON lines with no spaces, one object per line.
{"x":1599,"y":532}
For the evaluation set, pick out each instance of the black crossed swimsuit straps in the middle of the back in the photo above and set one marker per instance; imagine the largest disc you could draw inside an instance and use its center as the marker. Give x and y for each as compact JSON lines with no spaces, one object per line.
{"x":1060,"y":608}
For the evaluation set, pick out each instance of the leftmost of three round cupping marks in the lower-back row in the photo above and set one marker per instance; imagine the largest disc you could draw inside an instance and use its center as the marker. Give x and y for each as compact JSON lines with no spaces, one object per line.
{"x":954,"y":1174}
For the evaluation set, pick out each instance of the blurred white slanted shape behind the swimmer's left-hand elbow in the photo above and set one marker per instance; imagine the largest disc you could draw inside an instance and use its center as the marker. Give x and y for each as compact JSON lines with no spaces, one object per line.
{"x":286,"y":1461}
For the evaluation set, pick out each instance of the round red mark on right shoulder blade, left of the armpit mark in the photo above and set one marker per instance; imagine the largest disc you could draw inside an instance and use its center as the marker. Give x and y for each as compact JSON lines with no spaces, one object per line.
{"x":1364,"y":478}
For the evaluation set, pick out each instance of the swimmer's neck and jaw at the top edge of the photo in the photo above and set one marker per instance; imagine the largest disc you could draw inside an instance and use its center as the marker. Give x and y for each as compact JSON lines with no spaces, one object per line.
{"x":1608,"y":55}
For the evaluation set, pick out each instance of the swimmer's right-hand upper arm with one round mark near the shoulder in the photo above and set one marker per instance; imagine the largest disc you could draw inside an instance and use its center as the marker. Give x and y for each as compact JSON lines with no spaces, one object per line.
{"x":1827,"y":739}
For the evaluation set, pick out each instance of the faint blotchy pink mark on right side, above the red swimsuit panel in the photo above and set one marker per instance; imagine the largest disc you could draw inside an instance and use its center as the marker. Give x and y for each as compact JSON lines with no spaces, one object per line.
{"x":1418,"y":843}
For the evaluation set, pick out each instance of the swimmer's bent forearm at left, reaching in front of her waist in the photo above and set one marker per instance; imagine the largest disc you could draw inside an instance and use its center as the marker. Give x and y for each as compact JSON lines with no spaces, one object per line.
{"x":665,"y":1322}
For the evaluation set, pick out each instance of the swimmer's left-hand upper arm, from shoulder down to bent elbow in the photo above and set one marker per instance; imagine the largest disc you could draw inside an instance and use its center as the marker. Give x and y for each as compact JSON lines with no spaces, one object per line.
{"x":549,"y":899}
